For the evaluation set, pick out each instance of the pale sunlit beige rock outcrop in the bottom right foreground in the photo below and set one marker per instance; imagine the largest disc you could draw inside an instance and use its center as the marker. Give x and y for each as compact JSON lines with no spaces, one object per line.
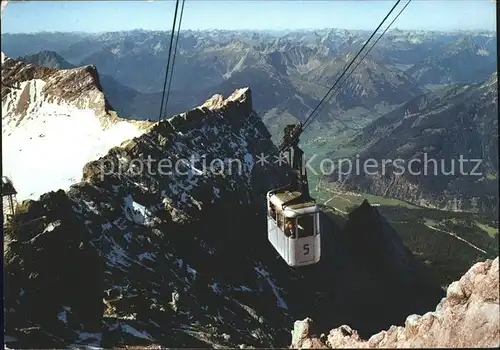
{"x":469,"y":316}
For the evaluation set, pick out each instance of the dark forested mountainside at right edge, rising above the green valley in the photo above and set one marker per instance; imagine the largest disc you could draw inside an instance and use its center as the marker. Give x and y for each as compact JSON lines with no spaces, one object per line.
{"x":439,"y":150}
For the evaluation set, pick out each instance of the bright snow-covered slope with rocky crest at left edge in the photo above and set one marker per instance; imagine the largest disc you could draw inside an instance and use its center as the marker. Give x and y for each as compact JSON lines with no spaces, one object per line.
{"x":53,"y":122}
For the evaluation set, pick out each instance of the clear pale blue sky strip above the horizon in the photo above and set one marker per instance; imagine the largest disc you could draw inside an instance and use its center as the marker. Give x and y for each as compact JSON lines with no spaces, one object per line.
{"x":97,"y":16}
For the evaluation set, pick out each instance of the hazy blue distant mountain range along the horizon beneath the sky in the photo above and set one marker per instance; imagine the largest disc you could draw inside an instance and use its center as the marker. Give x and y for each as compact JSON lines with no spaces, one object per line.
{"x":289,"y":72}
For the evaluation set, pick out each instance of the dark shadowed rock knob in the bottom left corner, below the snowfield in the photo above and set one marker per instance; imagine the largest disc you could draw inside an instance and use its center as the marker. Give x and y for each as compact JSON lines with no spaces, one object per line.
{"x":49,"y":264}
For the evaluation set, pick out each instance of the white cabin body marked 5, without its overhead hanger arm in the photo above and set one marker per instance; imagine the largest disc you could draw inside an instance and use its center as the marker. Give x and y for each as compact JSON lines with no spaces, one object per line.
{"x":303,"y":248}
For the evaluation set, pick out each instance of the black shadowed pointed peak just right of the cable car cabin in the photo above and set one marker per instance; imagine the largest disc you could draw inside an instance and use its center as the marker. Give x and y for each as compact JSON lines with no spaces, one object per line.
{"x":372,"y":280}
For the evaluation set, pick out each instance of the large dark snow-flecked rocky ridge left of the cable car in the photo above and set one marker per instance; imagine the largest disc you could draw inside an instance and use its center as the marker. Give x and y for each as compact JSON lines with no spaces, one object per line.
{"x":132,"y":256}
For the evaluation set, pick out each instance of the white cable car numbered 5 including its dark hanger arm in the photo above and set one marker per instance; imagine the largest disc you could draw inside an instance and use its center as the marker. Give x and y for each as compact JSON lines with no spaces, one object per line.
{"x":293,"y":217}
